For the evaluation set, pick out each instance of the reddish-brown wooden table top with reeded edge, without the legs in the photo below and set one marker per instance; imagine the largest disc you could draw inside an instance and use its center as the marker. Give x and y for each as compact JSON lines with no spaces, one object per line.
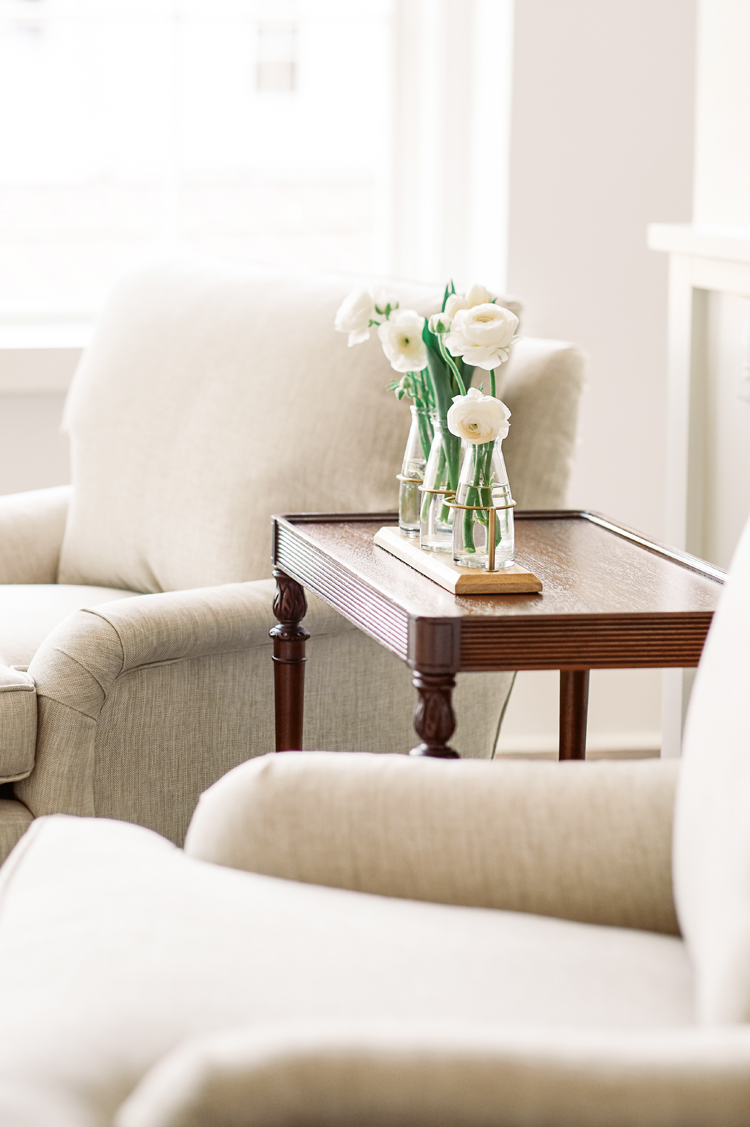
{"x":612,"y":597}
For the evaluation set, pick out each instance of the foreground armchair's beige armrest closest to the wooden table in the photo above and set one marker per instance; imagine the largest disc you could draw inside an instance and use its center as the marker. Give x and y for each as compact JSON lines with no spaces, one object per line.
{"x":578,"y":841}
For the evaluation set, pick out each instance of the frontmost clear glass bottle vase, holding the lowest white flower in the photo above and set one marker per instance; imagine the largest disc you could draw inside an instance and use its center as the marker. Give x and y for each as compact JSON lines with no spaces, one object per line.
{"x":483,"y":501}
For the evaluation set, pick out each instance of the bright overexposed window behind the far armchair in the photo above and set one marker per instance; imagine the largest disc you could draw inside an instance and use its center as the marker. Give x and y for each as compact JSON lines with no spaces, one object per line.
{"x":253,"y":130}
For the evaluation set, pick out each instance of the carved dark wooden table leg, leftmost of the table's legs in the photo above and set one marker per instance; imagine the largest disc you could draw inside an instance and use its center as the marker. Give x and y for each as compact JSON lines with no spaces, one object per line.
{"x":289,"y":640}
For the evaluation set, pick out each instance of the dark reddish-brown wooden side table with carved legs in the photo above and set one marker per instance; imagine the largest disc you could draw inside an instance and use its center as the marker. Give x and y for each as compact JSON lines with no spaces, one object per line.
{"x":613,"y":599}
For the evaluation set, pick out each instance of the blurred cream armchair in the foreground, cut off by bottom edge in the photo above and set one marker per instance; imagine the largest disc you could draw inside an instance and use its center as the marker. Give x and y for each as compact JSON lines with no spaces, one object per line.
{"x":377,"y":940}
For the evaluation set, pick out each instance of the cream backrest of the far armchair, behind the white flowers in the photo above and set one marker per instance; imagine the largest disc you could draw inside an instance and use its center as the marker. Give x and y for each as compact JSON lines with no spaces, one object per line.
{"x":214,"y":396}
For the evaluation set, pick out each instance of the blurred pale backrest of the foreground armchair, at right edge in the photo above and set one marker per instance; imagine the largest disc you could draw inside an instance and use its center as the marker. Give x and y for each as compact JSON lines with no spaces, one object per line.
{"x":712,"y":832}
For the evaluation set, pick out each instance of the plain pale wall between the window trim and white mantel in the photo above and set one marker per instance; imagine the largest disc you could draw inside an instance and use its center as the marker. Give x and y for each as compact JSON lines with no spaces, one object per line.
{"x":602,"y":145}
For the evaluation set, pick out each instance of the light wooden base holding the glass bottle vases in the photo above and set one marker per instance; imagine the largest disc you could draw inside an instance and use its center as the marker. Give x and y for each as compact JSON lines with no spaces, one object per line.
{"x":461,"y":581}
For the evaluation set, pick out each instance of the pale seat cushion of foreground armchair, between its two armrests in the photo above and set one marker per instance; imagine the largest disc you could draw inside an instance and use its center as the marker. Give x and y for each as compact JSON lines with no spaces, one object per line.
{"x":118,"y":947}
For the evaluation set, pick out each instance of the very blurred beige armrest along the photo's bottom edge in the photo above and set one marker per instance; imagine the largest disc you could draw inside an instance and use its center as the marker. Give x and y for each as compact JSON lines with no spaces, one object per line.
{"x":389,"y":1075}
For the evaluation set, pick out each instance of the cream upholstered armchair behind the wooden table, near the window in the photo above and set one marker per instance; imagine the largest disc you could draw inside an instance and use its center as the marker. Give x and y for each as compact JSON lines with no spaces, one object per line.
{"x":140,"y":600}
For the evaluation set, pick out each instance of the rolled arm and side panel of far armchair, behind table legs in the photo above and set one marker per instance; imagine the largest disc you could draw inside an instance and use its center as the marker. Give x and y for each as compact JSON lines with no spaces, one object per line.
{"x":146,"y":702}
